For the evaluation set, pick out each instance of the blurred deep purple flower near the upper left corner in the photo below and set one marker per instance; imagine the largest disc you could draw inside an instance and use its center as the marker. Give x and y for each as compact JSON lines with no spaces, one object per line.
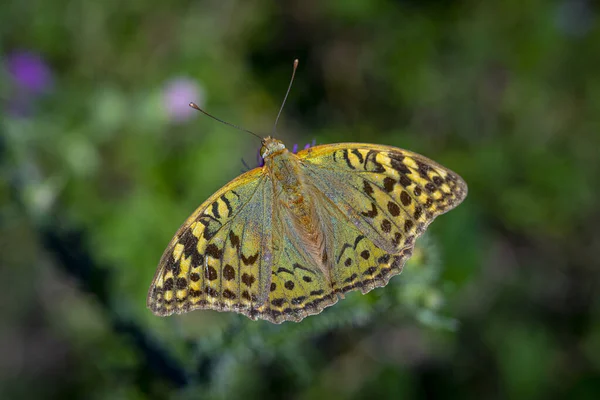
{"x":29,"y":72}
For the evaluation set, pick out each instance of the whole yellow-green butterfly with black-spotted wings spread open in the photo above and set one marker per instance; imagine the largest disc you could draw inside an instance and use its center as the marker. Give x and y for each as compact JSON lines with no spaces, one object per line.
{"x":286,"y":240}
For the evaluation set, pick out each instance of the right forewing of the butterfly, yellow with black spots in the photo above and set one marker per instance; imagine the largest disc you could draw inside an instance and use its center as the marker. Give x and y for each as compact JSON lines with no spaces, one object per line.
{"x":390,"y":195}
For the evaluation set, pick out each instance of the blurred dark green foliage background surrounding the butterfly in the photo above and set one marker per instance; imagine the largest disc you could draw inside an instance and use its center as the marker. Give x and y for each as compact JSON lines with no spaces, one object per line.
{"x":101,"y":160}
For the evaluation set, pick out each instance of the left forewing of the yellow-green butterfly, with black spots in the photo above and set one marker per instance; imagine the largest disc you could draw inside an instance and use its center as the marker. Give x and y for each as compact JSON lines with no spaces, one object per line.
{"x":220,"y":257}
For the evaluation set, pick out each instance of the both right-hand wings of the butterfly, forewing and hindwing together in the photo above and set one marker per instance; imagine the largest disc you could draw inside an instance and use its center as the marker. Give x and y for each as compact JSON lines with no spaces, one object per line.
{"x":379,"y":200}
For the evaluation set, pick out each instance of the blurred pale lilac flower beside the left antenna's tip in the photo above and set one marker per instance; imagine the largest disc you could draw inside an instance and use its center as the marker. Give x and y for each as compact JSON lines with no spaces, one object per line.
{"x":177,"y":95}
